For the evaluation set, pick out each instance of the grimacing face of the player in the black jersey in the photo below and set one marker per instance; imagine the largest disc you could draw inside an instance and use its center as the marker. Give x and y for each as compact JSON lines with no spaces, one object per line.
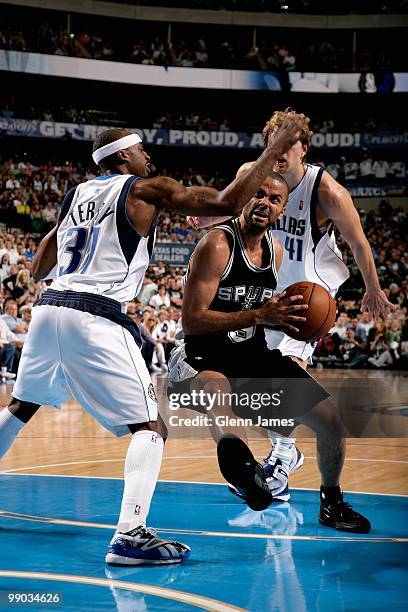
{"x":267,"y":205}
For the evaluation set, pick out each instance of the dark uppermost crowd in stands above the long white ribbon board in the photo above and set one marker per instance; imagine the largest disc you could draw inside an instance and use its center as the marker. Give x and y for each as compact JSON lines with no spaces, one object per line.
{"x":272,"y":51}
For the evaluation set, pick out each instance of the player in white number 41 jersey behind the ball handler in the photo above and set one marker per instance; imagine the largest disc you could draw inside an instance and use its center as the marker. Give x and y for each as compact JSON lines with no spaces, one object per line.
{"x":317,"y":203}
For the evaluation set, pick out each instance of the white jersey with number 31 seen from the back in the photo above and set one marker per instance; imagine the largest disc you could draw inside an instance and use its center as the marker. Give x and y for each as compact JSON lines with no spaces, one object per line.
{"x":99,"y":250}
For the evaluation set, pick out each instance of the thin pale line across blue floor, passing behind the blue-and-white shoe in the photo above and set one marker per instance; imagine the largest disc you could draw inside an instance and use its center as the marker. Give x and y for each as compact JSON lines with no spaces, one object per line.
{"x":214,"y":534}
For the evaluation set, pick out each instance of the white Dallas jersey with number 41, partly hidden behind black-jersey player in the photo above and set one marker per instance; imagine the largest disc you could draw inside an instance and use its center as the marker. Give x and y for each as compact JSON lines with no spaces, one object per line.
{"x":309,"y":253}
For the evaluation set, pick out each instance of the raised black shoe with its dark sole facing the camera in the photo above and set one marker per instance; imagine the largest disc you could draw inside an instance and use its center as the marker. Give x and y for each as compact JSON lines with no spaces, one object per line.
{"x":240,"y":468}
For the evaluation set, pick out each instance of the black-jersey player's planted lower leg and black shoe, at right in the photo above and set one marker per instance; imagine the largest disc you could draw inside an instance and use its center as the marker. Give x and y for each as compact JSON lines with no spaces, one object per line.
{"x":334,"y":512}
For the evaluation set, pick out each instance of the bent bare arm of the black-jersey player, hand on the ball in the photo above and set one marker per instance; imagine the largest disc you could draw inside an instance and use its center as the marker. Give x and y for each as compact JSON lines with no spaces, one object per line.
{"x":206,"y":268}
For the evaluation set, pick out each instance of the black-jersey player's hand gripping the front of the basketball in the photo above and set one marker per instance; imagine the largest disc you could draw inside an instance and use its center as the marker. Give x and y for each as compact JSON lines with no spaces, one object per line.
{"x":281,"y":311}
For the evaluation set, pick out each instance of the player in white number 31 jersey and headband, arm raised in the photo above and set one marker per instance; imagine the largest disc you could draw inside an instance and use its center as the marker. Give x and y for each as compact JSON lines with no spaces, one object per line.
{"x":80,"y":337}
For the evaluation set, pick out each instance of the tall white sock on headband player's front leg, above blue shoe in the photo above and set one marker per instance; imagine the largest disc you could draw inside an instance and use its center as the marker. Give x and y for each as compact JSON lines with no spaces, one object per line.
{"x":142,"y":467}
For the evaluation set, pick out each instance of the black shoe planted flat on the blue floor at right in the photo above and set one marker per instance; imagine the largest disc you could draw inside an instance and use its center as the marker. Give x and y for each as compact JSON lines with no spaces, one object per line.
{"x":340,"y":515}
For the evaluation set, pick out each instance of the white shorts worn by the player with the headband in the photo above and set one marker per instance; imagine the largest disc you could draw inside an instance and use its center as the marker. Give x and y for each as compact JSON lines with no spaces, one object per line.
{"x":95,"y":359}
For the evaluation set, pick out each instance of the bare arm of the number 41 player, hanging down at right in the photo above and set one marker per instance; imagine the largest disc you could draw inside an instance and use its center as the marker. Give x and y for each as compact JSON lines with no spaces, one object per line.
{"x":336,"y":204}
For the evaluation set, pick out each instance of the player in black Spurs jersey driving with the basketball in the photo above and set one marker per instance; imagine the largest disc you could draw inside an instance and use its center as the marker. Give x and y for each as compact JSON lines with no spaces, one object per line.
{"x":227,"y":300}
